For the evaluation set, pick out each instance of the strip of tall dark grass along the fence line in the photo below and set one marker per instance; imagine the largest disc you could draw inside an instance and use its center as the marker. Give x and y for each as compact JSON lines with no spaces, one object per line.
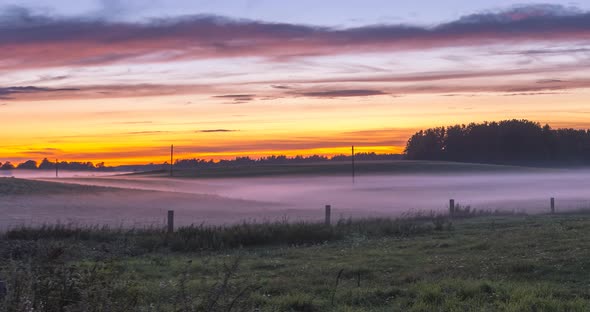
{"x":210,"y":237}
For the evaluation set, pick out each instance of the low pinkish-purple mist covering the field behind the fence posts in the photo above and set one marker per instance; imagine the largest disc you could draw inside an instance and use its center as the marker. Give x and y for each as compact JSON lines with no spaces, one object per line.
{"x":140,"y":200}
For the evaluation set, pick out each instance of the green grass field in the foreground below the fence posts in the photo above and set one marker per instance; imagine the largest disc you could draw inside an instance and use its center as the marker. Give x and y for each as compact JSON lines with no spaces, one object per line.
{"x":426,"y":263}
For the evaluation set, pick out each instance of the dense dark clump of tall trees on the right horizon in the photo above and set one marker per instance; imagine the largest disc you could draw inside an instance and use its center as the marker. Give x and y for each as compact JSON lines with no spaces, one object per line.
{"x":504,"y":142}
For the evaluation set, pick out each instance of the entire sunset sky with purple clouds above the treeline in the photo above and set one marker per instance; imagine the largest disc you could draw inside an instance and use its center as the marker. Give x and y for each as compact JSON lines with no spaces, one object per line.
{"x":119,"y":81}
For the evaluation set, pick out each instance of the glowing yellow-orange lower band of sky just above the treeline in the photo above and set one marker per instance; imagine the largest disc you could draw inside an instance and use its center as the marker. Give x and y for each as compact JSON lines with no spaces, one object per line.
{"x":140,"y":130}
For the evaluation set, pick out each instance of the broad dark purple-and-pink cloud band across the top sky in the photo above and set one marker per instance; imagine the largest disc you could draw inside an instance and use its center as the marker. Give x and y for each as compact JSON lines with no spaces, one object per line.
{"x":30,"y":40}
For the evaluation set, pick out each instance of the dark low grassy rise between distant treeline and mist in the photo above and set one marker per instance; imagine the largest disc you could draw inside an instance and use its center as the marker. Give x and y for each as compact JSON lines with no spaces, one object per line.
{"x":343,"y":168}
